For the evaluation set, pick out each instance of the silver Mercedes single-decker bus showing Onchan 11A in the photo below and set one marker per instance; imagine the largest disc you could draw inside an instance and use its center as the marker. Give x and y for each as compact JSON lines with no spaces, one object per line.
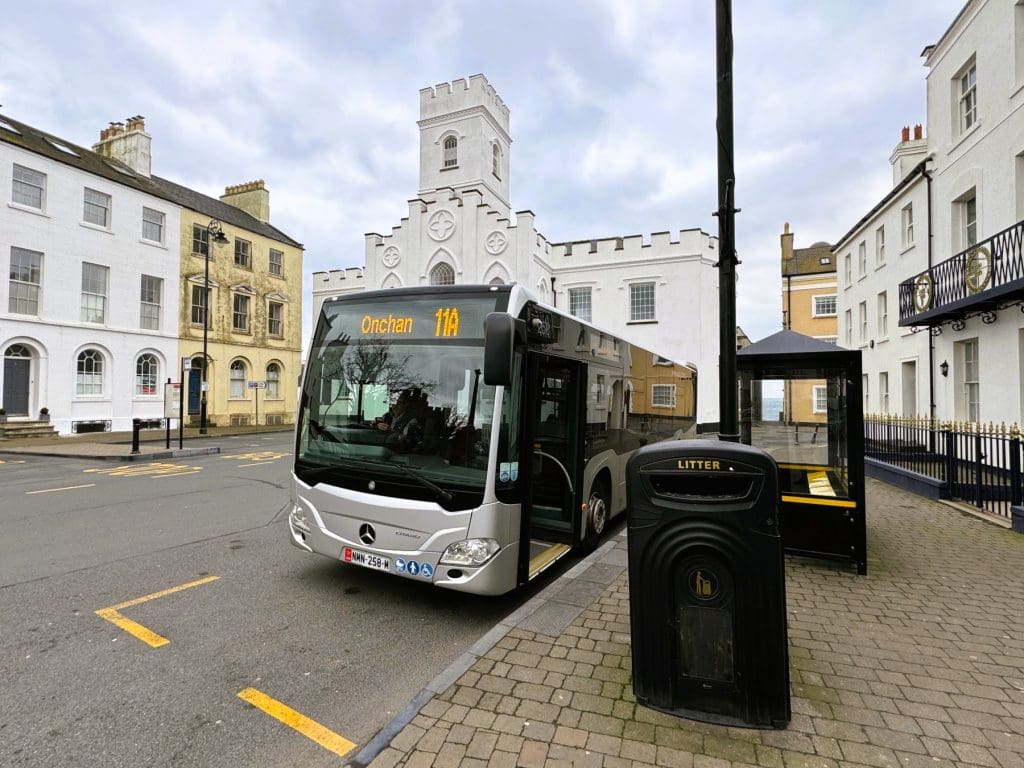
{"x":471,"y":437}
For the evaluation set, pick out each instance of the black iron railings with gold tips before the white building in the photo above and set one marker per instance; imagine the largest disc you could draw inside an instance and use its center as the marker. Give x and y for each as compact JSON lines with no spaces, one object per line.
{"x":977,"y":464}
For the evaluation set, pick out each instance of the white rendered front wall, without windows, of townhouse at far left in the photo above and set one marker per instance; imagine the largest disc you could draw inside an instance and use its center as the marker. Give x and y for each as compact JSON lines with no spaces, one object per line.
{"x":58,"y":335}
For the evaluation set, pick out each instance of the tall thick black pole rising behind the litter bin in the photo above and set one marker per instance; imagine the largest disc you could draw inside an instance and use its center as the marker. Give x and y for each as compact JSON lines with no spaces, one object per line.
{"x":729,"y":418}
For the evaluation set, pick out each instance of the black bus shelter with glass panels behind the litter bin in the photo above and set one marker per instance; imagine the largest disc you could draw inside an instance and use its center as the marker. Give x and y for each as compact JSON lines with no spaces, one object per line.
{"x":800,"y":400}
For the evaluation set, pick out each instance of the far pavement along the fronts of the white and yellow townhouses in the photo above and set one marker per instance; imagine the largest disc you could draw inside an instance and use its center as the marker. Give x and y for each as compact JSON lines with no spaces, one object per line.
{"x":117,"y":446}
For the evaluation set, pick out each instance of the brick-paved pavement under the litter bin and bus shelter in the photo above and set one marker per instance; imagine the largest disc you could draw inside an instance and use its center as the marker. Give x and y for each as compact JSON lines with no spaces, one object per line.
{"x":918,"y":665}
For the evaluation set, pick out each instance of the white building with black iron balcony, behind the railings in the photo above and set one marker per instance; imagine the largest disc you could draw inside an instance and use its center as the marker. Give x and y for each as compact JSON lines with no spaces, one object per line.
{"x":952,"y":234}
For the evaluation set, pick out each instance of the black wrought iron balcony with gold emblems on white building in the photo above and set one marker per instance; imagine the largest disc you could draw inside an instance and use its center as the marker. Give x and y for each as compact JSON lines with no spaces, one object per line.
{"x":983,"y":279}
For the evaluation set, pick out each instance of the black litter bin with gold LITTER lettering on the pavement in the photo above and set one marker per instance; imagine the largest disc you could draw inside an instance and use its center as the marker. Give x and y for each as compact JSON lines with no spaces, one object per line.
{"x":707,"y":583}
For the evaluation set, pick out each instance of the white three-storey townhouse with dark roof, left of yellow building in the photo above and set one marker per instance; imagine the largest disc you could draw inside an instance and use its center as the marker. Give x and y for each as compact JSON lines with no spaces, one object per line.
{"x":90,"y":312}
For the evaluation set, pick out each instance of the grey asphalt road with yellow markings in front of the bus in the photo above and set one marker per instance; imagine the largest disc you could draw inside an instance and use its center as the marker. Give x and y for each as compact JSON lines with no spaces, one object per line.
{"x":304,"y":638}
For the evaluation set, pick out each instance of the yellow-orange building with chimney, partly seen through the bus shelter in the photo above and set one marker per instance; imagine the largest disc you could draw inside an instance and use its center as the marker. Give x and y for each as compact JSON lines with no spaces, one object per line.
{"x":809,"y":309}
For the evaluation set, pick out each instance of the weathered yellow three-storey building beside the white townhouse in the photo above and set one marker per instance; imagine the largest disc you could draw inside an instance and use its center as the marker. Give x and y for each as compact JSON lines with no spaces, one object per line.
{"x":253,"y":342}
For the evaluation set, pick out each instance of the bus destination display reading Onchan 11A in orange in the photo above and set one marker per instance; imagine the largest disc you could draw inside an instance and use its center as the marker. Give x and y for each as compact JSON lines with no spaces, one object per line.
{"x":419,"y":319}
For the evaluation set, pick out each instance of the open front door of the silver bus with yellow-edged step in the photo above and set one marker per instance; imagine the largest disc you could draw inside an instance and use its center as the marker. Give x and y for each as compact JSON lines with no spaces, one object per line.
{"x":554,"y":401}
